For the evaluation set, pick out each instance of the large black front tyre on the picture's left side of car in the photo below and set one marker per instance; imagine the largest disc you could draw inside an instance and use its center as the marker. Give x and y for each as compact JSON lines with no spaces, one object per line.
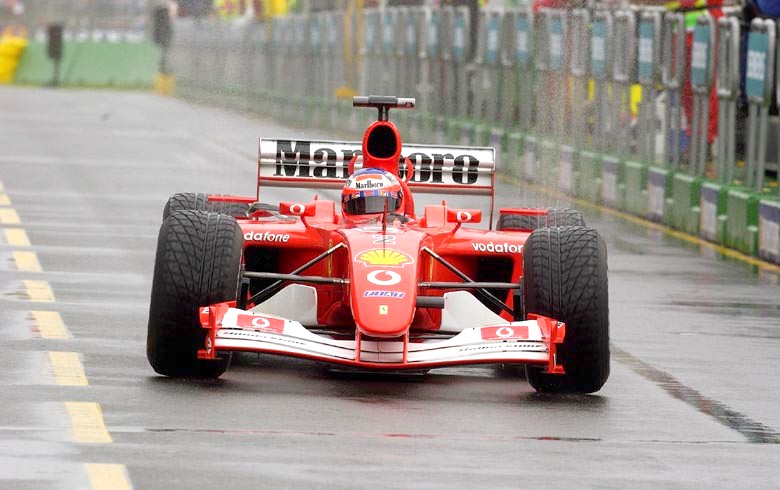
{"x":197,"y":264}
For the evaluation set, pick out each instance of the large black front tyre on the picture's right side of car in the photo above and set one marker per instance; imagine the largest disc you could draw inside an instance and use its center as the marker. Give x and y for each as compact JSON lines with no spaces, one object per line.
{"x":565,"y":277}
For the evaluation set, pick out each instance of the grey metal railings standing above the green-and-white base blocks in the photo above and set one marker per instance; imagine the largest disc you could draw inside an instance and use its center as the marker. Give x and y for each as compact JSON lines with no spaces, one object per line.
{"x":565,"y":76}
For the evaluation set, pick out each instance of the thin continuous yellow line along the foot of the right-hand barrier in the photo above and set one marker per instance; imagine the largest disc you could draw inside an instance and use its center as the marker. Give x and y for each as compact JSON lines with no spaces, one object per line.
{"x":733,"y":254}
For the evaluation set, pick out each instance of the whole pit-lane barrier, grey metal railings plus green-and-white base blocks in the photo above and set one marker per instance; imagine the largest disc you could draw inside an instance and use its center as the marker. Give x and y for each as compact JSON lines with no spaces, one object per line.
{"x":554,"y":91}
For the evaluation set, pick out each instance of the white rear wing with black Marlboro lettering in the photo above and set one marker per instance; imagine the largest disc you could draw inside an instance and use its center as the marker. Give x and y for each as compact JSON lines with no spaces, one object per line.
{"x":444,"y":170}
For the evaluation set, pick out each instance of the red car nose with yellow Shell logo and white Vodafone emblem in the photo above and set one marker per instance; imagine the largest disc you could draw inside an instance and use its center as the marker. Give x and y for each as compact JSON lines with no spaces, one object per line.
{"x":383,"y":287}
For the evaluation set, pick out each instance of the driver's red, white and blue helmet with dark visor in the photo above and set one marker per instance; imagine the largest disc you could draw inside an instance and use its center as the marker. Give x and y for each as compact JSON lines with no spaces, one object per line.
{"x":371,"y":191}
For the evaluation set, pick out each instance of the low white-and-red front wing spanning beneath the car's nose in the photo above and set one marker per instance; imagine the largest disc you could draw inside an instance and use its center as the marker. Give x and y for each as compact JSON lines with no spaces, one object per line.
{"x":532,"y":341}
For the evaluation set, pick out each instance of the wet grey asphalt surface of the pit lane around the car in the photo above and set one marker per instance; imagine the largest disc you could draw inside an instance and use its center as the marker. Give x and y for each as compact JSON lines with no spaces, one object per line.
{"x":691,"y":402}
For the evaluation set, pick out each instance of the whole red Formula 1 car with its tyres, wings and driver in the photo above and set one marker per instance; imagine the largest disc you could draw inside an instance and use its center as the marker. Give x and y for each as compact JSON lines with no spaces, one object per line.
{"x":370,"y":283}
